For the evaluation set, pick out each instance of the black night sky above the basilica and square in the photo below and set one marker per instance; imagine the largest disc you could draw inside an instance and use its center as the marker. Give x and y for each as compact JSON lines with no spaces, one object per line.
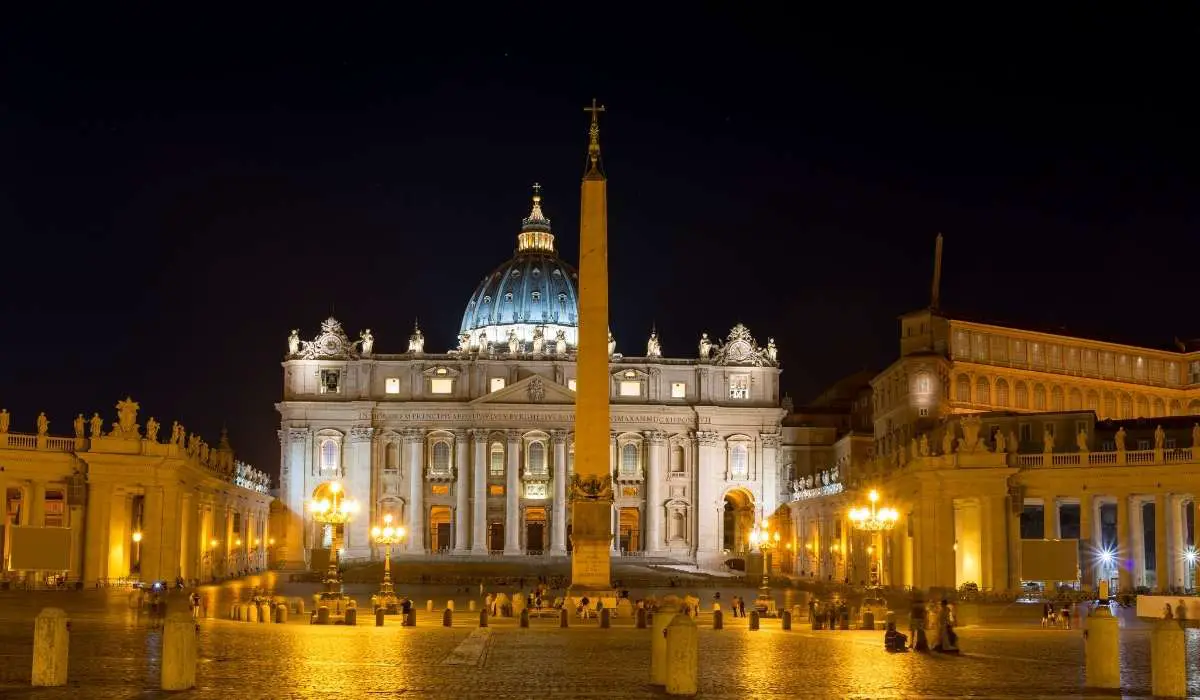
{"x":178,"y":193}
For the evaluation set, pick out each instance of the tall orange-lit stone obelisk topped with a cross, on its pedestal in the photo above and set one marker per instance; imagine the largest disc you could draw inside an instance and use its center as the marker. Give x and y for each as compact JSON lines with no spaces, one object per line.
{"x":592,"y":486}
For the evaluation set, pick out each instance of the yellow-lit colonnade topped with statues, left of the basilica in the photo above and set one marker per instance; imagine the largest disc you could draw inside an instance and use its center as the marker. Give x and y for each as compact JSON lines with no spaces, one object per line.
{"x":119,"y":505}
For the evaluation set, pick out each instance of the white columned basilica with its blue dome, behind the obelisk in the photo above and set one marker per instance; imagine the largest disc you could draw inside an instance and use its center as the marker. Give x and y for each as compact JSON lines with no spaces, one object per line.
{"x":472,"y":450}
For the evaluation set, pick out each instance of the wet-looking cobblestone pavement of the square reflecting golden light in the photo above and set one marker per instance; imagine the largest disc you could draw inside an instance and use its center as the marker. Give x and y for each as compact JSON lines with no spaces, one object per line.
{"x":115,"y":654}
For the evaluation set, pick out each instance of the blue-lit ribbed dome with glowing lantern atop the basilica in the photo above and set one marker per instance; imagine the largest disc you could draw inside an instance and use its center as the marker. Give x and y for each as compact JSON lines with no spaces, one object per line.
{"x":533,"y":292}
